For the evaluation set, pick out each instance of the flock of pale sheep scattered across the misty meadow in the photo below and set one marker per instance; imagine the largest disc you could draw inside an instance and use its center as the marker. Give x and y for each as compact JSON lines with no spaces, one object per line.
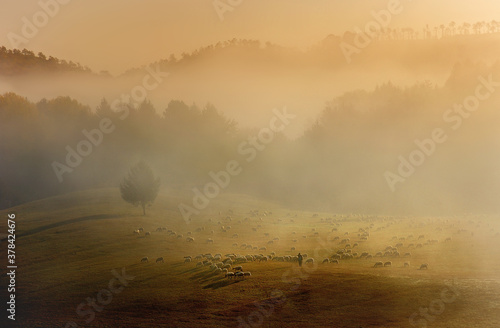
{"x":344,"y":250}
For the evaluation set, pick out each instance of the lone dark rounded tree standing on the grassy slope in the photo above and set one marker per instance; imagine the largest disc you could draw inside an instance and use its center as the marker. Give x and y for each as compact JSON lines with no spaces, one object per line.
{"x":140,"y":187}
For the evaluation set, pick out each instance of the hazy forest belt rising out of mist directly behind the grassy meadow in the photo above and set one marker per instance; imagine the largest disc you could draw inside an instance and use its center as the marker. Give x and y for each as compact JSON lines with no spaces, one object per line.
{"x":338,"y":163}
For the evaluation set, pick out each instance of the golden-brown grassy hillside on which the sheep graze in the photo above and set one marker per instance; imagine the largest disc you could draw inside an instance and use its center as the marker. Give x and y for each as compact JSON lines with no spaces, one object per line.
{"x":93,"y":235}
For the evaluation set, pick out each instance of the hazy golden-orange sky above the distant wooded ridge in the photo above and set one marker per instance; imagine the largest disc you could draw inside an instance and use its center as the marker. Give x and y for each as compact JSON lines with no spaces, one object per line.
{"x":116,"y":35}
